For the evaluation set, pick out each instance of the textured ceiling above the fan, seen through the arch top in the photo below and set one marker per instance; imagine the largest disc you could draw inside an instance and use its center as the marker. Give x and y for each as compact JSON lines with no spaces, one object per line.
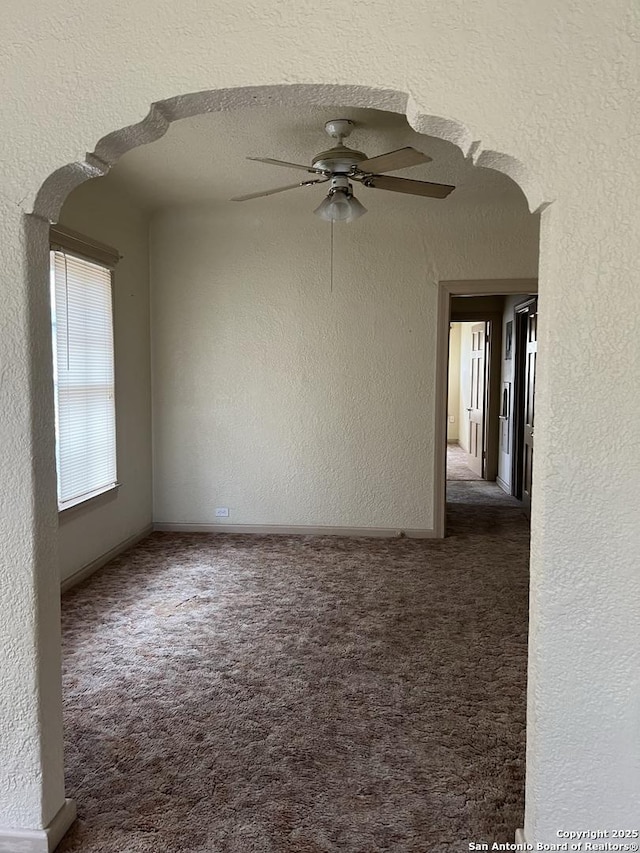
{"x":203,"y":159}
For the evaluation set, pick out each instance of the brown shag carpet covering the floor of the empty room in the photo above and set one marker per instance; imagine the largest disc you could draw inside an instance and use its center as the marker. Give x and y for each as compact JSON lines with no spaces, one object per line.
{"x":236,"y":694}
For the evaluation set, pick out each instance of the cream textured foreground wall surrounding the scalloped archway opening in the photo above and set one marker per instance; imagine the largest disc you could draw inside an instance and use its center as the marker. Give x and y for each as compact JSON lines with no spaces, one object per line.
{"x":554,"y":86}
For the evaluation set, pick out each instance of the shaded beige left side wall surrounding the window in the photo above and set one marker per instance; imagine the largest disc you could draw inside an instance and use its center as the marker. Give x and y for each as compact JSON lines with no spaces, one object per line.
{"x":89,"y":531}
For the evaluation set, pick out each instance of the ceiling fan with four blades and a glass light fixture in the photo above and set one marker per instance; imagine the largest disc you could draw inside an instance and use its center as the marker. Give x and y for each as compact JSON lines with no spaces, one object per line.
{"x":341,"y":165}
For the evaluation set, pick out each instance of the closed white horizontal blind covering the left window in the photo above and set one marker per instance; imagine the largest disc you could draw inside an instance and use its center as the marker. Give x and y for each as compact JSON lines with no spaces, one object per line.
{"x":84,"y":377}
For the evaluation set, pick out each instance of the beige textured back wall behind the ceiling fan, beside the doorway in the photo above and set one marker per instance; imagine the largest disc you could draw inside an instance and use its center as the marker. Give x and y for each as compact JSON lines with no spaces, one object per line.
{"x":294,"y":405}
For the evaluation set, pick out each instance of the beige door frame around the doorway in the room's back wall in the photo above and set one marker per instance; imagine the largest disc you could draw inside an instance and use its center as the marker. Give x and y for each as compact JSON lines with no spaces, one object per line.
{"x":447,"y":289}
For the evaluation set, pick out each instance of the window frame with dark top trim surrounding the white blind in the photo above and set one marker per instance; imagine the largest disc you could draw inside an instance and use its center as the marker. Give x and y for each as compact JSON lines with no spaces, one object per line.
{"x":85,"y":248}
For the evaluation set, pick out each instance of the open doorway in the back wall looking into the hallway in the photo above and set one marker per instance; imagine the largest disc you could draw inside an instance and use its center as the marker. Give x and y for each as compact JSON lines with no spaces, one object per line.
{"x":488,"y":360}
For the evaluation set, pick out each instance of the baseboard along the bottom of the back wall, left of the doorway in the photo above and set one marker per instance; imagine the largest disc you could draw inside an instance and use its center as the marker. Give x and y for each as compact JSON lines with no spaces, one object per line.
{"x":295,"y":530}
